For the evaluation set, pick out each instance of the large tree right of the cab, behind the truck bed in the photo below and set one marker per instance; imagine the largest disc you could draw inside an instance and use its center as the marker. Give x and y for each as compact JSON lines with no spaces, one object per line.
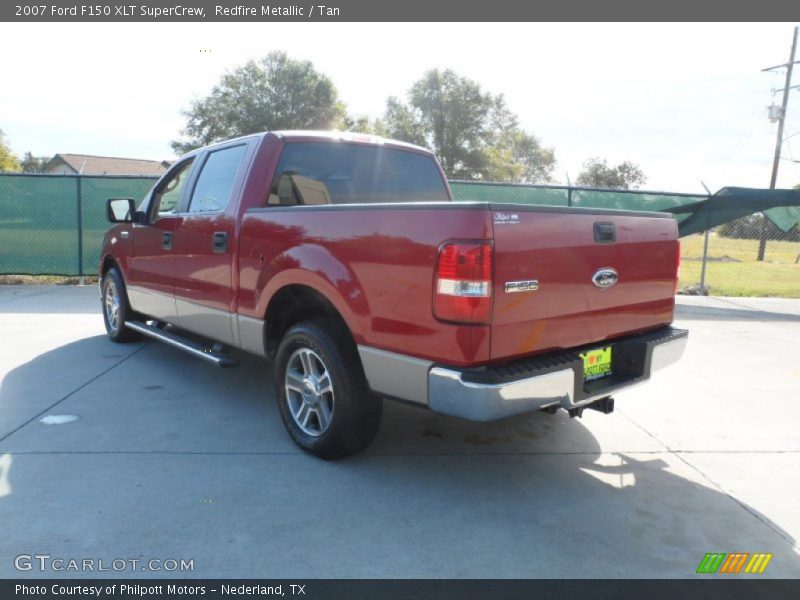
{"x":473,"y":132}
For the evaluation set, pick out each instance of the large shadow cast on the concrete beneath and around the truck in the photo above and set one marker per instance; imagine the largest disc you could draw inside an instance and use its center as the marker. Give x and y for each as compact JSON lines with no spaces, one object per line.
{"x":171,"y":457}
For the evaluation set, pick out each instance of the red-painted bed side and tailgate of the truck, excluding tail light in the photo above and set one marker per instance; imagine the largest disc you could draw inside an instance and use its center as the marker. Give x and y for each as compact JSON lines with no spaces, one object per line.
{"x":381,"y":259}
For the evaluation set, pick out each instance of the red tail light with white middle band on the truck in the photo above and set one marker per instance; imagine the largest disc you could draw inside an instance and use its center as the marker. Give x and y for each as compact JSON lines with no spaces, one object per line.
{"x":463,"y":286}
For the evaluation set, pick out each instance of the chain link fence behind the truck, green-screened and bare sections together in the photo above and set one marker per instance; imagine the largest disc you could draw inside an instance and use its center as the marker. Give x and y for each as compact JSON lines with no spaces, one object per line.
{"x":54,"y":225}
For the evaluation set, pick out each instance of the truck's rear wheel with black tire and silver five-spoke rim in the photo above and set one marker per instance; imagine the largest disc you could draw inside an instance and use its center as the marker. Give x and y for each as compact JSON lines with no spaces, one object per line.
{"x":354,"y":413}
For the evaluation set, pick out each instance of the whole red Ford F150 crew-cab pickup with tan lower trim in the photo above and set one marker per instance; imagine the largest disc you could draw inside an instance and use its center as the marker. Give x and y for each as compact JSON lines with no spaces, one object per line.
{"x":344,"y":260}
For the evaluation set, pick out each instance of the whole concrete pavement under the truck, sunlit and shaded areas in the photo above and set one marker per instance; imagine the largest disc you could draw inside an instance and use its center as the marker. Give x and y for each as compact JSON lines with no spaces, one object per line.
{"x":170,"y":458}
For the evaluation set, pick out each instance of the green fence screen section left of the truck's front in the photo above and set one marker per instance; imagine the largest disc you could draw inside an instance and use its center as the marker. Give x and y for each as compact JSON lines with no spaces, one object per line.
{"x":54,"y":224}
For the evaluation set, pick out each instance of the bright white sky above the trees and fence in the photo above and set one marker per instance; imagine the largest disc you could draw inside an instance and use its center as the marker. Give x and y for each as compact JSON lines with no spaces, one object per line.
{"x":687,"y":102}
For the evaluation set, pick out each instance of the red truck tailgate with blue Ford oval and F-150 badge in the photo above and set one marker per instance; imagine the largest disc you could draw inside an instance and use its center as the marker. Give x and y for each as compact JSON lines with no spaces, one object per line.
{"x":562,"y":250}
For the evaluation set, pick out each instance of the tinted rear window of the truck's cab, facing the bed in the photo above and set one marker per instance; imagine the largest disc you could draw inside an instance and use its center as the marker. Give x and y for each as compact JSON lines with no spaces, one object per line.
{"x":315,"y":173}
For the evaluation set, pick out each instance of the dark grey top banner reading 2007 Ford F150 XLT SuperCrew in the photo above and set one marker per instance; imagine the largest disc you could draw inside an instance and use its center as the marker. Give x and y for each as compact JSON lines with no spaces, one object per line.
{"x":397,"y":10}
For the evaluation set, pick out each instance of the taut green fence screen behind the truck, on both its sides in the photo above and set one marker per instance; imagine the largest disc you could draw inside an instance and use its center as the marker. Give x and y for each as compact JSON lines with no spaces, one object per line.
{"x":54,"y":224}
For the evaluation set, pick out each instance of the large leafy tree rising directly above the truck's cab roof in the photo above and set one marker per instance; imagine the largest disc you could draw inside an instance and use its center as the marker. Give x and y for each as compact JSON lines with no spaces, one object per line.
{"x":275,"y":92}
